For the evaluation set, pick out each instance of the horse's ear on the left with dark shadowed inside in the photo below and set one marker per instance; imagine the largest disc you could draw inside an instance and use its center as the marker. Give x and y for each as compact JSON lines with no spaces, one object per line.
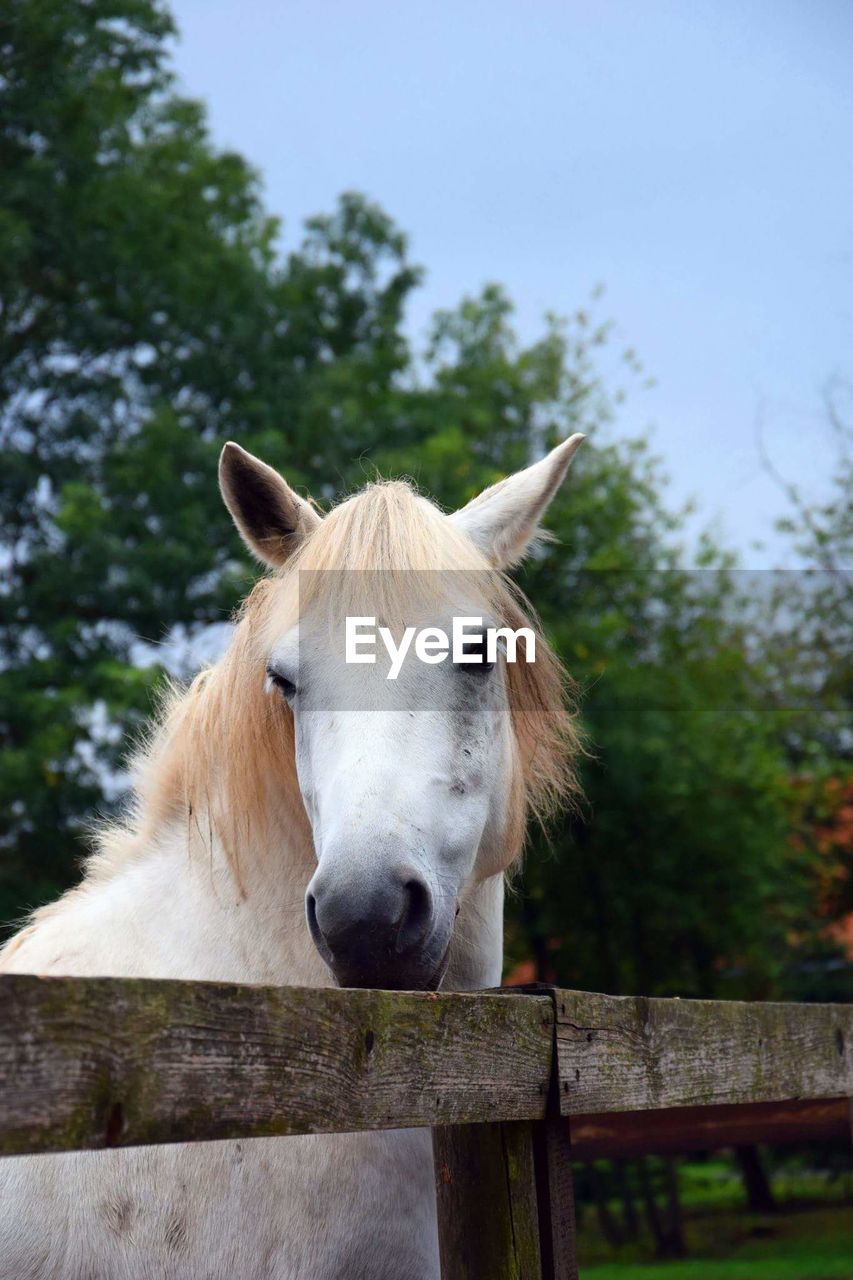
{"x":272,"y":519}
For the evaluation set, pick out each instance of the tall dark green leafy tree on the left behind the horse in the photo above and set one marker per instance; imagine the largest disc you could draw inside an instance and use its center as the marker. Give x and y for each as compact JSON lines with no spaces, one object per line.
{"x":145,"y":316}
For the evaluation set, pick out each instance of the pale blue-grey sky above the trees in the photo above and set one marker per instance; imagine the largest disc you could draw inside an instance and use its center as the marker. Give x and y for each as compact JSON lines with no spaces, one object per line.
{"x":694,"y":158}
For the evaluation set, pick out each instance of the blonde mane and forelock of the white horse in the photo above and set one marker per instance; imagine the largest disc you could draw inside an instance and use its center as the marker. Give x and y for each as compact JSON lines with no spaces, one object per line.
{"x":217,"y":747}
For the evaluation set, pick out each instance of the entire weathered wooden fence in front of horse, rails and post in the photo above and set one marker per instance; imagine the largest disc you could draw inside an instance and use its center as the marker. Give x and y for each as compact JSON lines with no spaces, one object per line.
{"x":514,"y":1085}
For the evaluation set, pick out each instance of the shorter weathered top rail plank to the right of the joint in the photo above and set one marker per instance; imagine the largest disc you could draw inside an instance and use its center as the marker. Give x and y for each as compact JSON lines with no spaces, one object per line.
{"x":631,"y":1054}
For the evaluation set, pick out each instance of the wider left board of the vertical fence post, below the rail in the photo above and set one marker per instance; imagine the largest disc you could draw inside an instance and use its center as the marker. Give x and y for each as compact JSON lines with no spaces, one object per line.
{"x":486,"y":1196}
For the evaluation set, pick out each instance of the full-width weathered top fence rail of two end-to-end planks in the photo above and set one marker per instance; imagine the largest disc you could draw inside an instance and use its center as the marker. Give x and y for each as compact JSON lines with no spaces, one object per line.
{"x":89,"y":1063}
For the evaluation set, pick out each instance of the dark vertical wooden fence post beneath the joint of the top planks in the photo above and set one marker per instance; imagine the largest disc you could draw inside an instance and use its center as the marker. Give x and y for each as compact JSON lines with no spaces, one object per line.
{"x":505,"y":1195}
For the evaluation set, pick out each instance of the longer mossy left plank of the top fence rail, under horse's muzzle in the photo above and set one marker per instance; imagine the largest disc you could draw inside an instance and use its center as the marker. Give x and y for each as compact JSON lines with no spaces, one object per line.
{"x":88,"y":1063}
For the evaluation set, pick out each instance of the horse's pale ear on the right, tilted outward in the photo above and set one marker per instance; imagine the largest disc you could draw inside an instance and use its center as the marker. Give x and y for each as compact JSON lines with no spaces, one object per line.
{"x":504,"y":520}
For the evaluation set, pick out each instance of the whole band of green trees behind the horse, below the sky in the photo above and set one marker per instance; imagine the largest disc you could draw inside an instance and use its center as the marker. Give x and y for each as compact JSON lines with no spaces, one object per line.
{"x":149,"y":313}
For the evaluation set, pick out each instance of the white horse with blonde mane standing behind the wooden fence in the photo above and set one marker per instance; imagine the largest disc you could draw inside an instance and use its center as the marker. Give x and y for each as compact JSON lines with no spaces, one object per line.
{"x":266,"y":796}
